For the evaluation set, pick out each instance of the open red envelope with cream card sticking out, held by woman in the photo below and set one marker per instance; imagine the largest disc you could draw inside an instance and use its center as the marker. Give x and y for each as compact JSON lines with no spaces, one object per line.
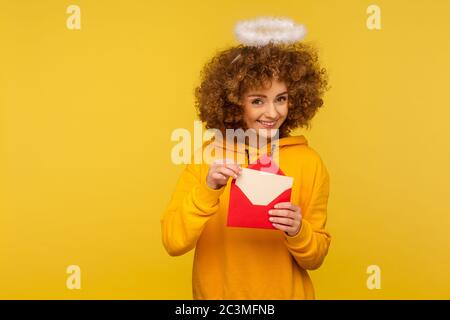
{"x":255,"y":192}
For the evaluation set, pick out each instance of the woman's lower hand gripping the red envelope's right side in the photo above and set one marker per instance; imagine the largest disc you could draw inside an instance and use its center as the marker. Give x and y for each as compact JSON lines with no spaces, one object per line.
{"x":286,"y":217}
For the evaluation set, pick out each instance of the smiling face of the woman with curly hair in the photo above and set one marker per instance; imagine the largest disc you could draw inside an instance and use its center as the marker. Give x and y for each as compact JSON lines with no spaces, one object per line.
{"x":266,"y":108}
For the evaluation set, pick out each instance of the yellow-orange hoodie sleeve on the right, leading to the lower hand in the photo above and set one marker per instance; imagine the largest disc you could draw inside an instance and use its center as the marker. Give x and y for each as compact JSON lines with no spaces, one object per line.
{"x":310,"y":245}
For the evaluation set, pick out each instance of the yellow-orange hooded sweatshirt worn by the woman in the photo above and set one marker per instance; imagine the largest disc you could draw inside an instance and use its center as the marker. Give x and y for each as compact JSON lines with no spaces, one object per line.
{"x":248,"y":263}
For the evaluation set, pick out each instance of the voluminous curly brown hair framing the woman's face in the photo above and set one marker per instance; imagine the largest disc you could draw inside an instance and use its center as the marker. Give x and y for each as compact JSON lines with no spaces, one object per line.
{"x":234,"y":71}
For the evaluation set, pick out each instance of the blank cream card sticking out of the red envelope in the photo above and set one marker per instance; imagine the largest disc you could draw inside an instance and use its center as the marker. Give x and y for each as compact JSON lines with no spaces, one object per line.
{"x":261,"y":187}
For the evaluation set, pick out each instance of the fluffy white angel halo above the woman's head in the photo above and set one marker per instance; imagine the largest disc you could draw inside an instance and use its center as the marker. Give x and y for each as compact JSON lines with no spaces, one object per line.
{"x":261,"y":31}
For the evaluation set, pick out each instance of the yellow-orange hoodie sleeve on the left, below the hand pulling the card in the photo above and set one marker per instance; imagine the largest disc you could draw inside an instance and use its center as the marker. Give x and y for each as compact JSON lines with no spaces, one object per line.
{"x":192,"y":204}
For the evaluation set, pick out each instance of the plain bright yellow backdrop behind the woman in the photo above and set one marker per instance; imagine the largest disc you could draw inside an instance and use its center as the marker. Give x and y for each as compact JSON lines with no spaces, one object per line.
{"x":86,"y":117}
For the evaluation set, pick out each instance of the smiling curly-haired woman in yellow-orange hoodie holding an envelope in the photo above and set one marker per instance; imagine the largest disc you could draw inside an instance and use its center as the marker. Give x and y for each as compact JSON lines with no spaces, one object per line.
{"x":270,"y":87}
